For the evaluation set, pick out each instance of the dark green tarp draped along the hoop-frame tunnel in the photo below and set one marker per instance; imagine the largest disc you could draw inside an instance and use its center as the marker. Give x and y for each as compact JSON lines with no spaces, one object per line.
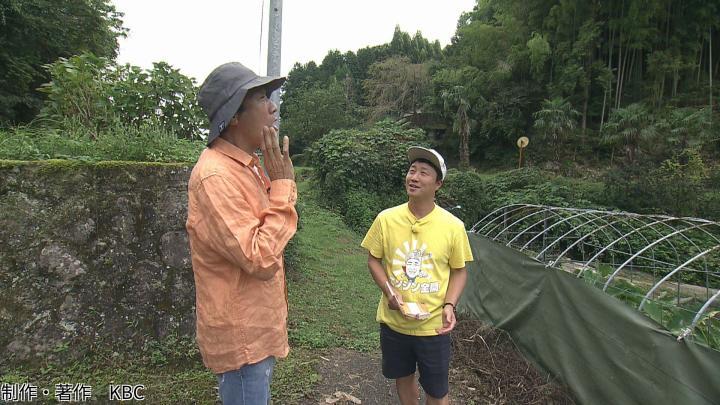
{"x":604,"y":350}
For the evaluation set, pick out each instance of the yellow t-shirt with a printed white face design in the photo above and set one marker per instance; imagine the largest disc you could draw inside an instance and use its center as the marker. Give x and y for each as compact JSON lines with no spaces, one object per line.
{"x":418,"y":256}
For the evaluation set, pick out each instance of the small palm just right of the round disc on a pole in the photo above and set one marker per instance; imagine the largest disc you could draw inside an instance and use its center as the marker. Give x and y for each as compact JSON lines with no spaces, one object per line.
{"x":556,"y":120}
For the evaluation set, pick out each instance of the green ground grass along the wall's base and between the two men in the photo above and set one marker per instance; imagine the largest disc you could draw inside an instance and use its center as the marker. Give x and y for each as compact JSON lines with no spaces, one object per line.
{"x":332,"y":303}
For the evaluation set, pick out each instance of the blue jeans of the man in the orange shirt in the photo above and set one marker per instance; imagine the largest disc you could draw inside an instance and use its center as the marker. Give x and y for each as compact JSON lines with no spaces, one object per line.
{"x":248,"y":385}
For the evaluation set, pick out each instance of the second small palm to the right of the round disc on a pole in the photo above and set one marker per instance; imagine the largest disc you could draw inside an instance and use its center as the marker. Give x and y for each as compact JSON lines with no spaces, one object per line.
{"x":629,"y":127}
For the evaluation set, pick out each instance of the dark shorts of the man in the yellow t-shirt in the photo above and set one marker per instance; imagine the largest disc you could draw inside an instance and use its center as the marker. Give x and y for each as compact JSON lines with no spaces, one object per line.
{"x":401,"y":353}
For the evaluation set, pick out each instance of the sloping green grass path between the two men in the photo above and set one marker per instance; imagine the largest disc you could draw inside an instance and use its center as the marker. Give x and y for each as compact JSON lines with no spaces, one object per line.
{"x":332,"y":297}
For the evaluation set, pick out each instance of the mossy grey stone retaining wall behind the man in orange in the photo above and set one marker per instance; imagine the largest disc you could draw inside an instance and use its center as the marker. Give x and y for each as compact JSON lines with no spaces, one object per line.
{"x":92,"y":255}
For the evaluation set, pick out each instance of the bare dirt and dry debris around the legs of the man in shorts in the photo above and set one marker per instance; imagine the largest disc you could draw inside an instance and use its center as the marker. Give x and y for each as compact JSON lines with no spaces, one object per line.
{"x":486,"y":368}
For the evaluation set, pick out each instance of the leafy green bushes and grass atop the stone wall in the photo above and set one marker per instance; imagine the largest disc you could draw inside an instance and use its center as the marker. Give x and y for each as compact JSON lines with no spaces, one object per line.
{"x":98,"y":110}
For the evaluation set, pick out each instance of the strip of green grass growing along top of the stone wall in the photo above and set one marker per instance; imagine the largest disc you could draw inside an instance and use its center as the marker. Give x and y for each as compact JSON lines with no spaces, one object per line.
{"x":146,"y":143}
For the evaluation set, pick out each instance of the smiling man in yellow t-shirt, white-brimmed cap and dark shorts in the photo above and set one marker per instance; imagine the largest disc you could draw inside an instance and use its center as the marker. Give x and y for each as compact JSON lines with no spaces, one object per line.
{"x":417,"y":255}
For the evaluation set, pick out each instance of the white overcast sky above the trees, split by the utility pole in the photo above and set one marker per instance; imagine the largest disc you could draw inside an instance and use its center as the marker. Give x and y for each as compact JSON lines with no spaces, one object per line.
{"x":197,"y":36}
